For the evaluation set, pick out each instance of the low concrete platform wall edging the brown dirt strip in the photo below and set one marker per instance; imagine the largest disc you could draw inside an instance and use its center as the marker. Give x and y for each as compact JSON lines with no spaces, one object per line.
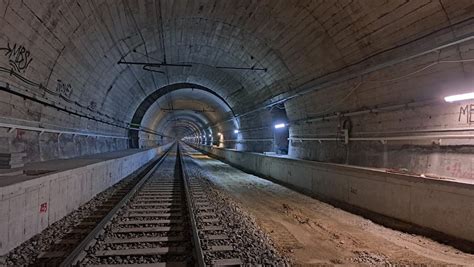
{"x":442,"y":206}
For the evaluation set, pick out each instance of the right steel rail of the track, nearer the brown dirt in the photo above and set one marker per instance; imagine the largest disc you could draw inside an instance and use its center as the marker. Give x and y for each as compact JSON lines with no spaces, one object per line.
{"x":199,"y":254}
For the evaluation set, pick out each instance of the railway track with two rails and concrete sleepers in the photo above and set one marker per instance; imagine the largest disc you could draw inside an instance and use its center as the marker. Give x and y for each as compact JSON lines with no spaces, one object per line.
{"x":166,"y":219}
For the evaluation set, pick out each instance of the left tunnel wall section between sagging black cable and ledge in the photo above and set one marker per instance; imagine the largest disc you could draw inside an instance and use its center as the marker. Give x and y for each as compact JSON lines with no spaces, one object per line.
{"x":41,"y":146}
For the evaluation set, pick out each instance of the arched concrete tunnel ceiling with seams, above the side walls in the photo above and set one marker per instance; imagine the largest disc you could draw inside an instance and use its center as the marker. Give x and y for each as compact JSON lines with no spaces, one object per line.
{"x":79,"y":44}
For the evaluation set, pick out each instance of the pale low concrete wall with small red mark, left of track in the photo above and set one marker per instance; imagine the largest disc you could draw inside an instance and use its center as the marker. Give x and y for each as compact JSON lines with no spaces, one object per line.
{"x":28,"y":207}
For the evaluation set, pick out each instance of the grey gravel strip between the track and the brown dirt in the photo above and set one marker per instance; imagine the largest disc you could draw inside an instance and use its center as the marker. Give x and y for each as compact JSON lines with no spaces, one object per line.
{"x":251,"y":244}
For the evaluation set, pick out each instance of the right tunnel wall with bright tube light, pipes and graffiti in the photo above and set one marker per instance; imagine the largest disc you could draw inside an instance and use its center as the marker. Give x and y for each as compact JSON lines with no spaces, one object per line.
{"x":404,"y":101}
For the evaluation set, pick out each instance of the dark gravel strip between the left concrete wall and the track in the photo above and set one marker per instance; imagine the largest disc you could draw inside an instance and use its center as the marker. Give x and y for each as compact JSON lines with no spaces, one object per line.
{"x":28,"y":252}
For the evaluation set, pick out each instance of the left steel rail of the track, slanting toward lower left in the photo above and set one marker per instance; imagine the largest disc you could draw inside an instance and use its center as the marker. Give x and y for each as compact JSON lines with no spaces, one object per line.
{"x":80,"y":251}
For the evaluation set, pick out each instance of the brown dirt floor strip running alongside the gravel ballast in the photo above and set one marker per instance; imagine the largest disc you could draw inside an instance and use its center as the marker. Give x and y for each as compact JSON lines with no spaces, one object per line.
{"x":313,"y":232}
